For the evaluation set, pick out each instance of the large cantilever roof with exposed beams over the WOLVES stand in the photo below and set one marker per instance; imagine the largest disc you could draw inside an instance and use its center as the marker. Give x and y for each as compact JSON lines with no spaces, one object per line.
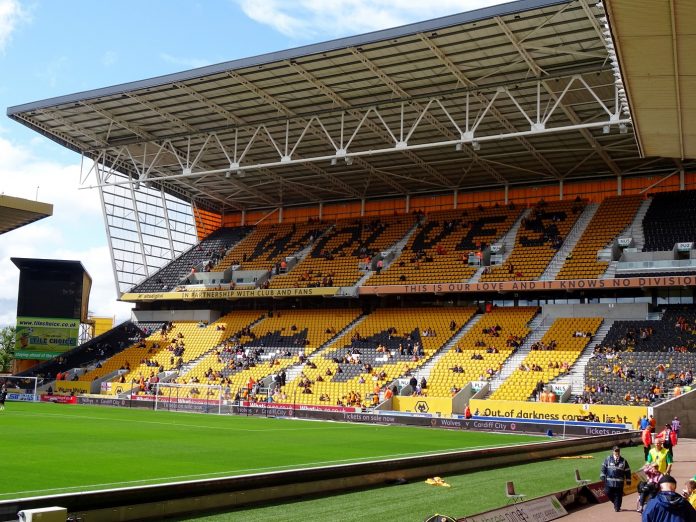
{"x":294,"y":113}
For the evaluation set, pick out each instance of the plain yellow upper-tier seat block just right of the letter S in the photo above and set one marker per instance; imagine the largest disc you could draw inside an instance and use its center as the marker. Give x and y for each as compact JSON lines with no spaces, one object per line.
{"x":611,"y":218}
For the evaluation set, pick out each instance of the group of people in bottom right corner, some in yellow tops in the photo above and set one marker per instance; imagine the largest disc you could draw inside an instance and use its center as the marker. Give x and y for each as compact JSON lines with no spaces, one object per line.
{"x":658,"y":499}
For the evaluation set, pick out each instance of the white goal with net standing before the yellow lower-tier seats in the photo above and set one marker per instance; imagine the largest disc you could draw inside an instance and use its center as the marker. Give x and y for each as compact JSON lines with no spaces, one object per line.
{"x":195,"y":397}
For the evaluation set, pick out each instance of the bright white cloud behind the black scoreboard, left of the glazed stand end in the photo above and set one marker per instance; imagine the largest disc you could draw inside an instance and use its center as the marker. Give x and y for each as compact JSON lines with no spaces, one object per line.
{"x":75,"y":231}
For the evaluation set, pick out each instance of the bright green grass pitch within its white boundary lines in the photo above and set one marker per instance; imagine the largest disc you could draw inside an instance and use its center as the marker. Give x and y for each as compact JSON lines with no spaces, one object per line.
{"x":54,"y":448}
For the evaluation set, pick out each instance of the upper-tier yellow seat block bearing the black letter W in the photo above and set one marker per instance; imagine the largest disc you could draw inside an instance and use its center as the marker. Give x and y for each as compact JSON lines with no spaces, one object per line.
{"x":269,"y":245}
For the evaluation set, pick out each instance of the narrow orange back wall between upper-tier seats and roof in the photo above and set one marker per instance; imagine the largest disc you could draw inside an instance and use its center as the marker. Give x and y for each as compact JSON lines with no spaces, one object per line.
{"x":595,"y":191}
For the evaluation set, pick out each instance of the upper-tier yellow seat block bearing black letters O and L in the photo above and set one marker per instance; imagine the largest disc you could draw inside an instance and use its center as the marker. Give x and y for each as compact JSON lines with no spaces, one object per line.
{"x":337,"y":256}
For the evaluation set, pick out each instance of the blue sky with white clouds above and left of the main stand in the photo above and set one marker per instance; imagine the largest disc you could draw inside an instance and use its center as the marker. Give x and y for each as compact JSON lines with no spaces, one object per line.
{"x":51,"y":47}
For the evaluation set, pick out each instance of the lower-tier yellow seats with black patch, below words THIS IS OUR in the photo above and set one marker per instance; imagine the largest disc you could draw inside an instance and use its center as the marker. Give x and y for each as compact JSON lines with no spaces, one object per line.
{"x":384,"y":346}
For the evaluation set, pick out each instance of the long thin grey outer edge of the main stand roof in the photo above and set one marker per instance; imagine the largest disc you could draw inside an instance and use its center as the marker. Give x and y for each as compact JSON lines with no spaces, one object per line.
{"x":484,"y":13}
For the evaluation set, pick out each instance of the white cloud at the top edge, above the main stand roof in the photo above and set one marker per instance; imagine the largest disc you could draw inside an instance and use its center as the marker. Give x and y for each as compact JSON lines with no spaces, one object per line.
{"x":306,"y":19}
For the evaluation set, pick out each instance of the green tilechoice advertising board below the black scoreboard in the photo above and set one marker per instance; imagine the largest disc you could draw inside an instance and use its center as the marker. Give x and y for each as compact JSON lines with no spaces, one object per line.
{"x":43,"y":338}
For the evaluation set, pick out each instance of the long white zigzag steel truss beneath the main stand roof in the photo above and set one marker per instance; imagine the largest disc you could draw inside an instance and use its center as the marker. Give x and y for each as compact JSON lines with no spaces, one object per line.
{"x":462,"y":122}
